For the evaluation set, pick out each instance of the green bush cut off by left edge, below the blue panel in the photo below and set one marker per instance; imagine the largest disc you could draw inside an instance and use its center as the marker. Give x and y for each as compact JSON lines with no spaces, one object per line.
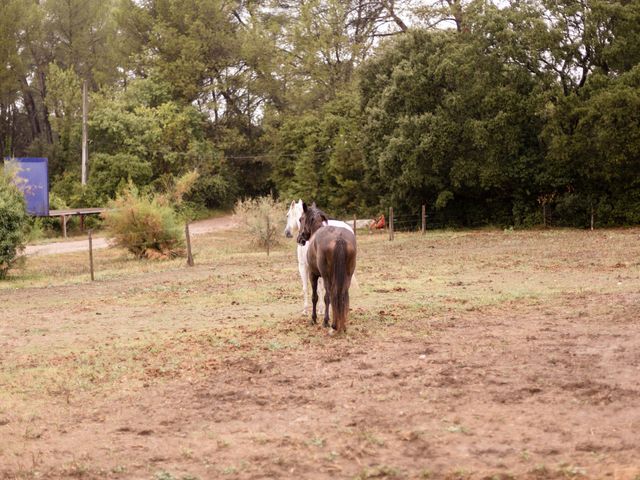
{"x":13,"y":223}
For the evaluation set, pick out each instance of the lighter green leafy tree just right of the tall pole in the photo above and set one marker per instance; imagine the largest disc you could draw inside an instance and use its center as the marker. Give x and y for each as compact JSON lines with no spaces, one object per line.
{"x":144,"y":136}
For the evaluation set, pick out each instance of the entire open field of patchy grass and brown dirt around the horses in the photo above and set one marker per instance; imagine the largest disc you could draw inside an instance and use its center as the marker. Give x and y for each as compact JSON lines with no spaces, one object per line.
{"x":475,"y":355}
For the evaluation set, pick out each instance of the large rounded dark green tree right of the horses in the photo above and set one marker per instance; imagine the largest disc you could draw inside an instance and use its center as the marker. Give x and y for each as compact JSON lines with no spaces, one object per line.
{"x":451,"y":125}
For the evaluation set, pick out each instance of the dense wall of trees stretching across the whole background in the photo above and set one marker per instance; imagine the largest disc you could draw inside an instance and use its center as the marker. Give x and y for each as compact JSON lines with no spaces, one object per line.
{"x":488,"y":112}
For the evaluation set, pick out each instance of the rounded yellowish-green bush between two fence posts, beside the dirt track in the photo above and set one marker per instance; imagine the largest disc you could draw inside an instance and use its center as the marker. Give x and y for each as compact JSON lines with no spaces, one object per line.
{"x":146,"y":225}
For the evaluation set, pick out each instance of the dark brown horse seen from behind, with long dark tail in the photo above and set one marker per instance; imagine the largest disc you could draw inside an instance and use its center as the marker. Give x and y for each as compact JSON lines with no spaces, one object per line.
{"x":332,"y":256}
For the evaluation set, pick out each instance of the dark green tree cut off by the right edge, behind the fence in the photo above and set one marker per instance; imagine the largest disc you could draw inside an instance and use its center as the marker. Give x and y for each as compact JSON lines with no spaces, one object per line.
{"x":592,"y":156}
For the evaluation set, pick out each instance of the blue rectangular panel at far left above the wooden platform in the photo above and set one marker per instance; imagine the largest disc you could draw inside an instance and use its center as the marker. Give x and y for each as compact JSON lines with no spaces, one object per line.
{"x":33,"y":174}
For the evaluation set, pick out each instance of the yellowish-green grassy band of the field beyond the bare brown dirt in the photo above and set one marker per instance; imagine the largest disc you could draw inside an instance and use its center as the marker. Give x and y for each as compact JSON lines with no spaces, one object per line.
{"x":144,"y":320}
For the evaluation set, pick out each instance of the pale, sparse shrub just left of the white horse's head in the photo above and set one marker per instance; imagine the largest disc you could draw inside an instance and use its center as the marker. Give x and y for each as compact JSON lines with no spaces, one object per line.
{"x":263,"y":219}
